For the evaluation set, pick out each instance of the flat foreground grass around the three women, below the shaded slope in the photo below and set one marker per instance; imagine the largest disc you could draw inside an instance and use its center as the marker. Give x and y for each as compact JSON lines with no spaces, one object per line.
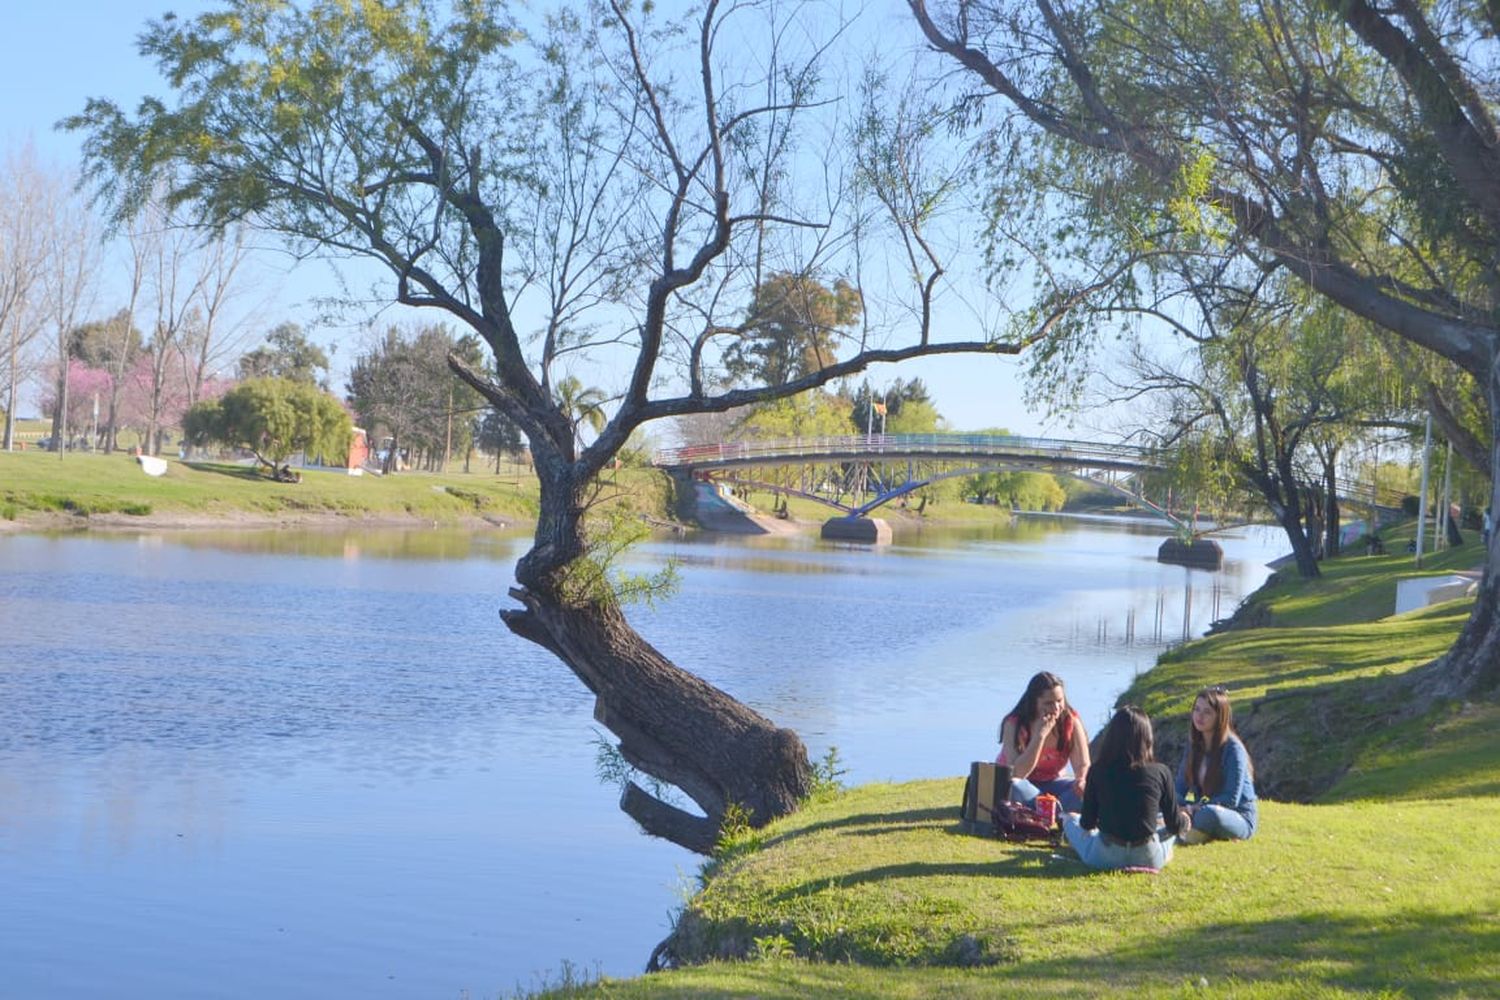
{"x":880,"y":894}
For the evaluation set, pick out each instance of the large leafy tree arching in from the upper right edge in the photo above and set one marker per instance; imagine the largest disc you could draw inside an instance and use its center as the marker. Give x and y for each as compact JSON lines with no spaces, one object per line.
{"x":1351,"y":145}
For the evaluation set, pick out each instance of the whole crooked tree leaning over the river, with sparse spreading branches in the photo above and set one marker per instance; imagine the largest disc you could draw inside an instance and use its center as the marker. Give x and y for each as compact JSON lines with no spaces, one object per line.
{"x":613,"y":181}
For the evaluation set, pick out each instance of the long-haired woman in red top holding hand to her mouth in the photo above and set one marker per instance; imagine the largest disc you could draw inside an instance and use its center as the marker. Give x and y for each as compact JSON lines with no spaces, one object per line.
{"x":1040,"y":738}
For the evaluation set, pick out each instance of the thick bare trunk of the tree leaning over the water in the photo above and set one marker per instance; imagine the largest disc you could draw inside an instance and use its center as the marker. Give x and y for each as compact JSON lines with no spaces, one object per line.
{"x":673,"y":725}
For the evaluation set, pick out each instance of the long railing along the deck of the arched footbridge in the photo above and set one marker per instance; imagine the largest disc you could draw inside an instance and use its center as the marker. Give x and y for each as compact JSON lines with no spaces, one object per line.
{"x":875,"y":446}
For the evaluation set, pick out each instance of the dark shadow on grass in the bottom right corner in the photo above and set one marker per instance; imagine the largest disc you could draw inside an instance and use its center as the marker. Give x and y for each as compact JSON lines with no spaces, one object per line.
{"x":1420,"y":954}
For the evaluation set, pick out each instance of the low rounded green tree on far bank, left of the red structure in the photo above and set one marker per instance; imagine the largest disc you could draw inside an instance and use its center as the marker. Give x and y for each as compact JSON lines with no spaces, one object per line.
{"x":275,"y":419}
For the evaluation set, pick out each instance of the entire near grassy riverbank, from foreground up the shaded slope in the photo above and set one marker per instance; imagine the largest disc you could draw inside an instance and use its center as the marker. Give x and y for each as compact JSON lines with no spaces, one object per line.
{"x":1373,"y":873}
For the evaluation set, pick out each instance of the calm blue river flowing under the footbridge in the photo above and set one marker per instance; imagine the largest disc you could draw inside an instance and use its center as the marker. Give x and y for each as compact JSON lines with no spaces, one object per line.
{"x":311,"y":764}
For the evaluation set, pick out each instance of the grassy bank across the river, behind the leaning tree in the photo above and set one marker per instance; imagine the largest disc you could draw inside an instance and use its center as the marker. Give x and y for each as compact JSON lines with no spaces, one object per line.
{"x":43,"y":490}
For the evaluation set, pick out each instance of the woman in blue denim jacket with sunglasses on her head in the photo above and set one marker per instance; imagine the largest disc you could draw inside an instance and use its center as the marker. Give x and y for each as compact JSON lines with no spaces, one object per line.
{"x":1216,"y":774}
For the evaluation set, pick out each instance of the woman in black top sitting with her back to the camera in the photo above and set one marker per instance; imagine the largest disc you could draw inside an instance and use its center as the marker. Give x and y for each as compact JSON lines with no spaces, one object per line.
{"x":1129,"y":795}
